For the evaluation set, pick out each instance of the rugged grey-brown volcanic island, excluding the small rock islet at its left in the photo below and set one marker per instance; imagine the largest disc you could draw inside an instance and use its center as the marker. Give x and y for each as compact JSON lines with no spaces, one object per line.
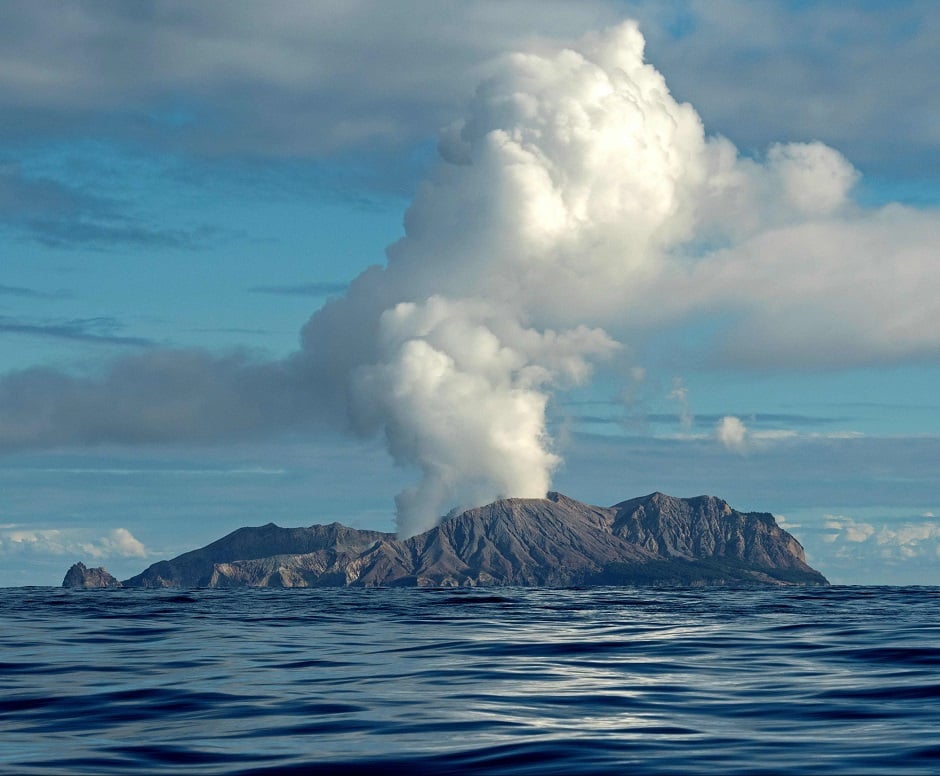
{"x":555,"y":541}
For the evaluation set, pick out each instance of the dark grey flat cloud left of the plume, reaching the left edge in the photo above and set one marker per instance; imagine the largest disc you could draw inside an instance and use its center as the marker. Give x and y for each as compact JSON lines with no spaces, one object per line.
{"x":158,"y":397}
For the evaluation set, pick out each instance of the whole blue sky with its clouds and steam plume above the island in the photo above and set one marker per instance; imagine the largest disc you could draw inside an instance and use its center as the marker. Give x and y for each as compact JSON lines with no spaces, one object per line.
{"x":370,"y":262}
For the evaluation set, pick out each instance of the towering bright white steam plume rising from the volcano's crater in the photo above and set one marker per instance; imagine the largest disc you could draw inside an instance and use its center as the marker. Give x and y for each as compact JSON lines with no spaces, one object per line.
{"x":572,"y":170}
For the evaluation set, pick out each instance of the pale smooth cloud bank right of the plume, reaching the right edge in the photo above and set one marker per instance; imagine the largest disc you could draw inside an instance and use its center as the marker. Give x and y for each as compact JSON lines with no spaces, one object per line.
{"x":826,"y":292}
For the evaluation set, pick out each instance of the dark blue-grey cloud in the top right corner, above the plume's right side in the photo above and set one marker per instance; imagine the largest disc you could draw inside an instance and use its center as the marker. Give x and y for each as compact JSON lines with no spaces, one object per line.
{"x":863,"y":96}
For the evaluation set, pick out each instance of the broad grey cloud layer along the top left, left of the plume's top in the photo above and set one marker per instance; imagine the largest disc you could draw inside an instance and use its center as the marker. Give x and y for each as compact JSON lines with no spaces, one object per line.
{"x":312,"y":78}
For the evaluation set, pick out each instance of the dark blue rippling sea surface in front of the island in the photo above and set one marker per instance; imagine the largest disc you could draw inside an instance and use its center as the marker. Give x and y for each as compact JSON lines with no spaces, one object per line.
{"x":843,"y":680}
